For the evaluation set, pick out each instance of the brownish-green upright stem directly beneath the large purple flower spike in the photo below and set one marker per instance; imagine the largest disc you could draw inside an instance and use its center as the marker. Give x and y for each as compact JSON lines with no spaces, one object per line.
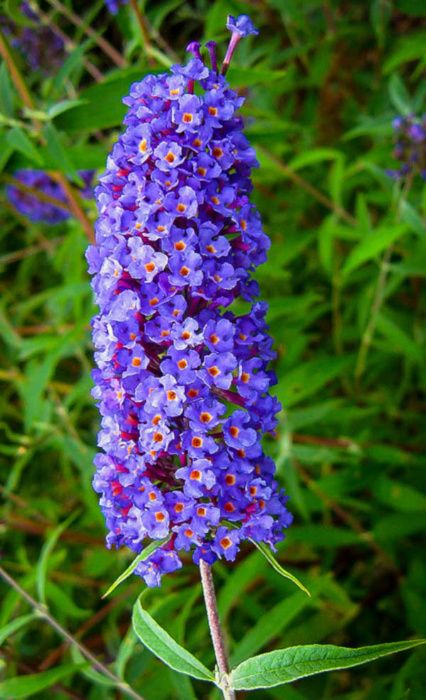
{"x":216,"y":631}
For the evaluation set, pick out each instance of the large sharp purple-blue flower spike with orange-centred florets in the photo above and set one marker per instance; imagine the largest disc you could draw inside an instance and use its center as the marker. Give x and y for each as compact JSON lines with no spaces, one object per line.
{"x":182,"y":381}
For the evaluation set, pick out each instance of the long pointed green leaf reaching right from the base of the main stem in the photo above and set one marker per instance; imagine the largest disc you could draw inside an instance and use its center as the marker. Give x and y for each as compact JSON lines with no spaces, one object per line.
{"x":288,"y":665}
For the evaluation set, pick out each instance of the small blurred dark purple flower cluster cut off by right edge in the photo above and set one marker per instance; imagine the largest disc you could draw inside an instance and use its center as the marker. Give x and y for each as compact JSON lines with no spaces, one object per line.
{"x":410,"y":146}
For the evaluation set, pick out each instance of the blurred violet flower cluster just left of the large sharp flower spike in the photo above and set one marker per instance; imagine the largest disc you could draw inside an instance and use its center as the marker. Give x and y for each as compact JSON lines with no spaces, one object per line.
{"x":32,"y":206}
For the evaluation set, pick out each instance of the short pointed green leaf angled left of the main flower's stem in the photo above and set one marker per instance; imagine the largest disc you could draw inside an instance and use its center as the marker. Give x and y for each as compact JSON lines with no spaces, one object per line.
{"x":157,"y":640}
